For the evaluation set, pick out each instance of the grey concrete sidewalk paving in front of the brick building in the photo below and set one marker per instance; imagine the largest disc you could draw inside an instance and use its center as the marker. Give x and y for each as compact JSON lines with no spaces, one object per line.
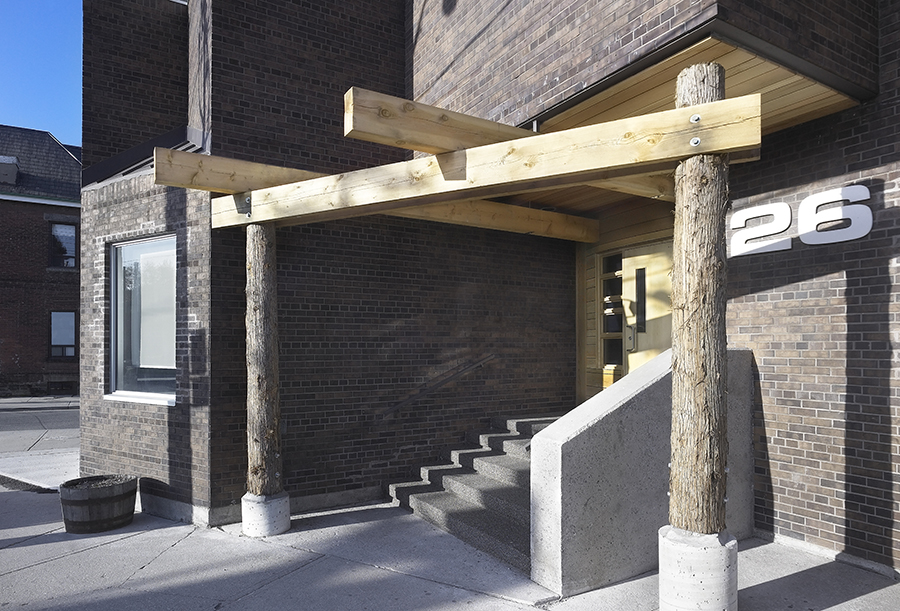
{"x":368,"y":558}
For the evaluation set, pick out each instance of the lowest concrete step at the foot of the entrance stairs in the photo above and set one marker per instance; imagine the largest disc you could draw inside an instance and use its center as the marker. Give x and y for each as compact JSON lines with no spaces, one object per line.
{"x":488,"y":531}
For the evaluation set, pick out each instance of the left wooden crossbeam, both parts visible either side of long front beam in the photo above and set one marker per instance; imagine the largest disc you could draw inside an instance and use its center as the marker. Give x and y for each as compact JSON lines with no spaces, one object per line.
{"x":219,"y":175}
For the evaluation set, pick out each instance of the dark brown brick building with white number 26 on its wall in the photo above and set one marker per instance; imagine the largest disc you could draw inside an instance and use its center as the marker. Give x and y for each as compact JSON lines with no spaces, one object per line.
{"x":375,"y":307}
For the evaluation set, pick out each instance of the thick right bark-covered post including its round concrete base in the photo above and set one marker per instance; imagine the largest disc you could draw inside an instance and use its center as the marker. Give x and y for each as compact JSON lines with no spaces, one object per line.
{"x":698,"y":559}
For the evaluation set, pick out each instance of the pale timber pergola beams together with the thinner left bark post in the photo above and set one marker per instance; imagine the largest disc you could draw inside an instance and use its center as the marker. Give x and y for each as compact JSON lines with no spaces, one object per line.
{"x":474,"y":173}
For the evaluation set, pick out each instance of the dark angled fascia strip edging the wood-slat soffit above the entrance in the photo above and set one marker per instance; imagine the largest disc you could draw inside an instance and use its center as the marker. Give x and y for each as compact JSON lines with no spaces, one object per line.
{"x":725,"y":32}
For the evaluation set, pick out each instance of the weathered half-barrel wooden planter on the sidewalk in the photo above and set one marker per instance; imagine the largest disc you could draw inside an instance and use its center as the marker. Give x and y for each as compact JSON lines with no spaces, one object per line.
{"x":99,"y":503}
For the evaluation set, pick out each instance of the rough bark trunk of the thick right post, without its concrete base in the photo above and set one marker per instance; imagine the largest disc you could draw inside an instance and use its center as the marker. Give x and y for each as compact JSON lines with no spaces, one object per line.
{"x":699,"y":442}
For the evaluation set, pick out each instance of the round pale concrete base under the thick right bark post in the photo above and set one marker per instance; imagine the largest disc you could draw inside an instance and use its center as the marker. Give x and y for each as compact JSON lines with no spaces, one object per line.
{"x":697,"y":572}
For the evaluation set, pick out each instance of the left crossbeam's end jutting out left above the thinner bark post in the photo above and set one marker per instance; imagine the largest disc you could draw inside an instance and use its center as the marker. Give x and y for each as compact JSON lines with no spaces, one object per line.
{"x":220,"y":174}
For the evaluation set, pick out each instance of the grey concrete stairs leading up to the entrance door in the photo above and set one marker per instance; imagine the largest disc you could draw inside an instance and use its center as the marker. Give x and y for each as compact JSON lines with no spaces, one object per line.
{"x":482,"y":495}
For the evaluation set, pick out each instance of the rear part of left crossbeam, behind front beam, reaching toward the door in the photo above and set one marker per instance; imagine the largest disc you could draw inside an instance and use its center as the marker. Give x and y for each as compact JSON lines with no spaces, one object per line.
{"x":516,"y":219}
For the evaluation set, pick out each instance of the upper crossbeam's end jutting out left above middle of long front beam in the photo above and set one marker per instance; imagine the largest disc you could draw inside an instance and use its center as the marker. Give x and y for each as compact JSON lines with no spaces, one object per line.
{"x":376,"y":117}
